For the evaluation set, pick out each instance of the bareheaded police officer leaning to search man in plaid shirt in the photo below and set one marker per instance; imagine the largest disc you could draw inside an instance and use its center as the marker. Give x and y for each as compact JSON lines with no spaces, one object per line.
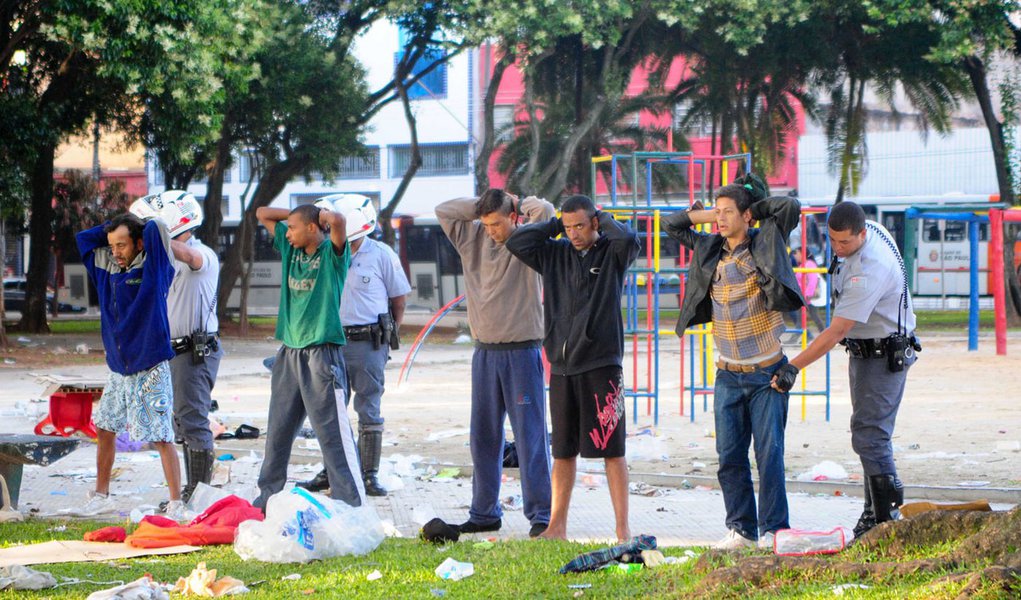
{"x":874,"y":320}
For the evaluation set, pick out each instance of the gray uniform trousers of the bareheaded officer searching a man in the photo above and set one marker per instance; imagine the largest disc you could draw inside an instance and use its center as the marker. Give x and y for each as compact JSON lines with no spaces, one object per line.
{"x":876,"y":398}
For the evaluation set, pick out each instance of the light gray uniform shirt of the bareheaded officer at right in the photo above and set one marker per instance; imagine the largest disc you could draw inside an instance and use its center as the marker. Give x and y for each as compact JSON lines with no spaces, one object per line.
{"x":868,"y":287}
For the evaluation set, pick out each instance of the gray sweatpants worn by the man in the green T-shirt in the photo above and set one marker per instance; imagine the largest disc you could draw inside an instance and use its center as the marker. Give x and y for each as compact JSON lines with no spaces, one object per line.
{"x":311,"y":381}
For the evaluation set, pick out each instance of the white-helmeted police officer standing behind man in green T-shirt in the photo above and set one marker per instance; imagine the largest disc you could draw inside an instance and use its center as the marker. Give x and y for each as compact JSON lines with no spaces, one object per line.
{"x":372,"y":309}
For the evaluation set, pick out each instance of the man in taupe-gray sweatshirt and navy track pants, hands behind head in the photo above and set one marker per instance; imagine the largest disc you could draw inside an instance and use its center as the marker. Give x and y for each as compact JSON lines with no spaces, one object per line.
{"x":505,"y":312}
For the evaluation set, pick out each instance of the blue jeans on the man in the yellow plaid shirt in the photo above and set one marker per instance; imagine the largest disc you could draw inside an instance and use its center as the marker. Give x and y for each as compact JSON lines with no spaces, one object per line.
{"x":748,"y":410}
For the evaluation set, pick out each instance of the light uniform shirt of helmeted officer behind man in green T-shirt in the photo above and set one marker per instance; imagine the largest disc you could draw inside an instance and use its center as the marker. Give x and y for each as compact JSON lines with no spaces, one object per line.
{"x":374,"y":277}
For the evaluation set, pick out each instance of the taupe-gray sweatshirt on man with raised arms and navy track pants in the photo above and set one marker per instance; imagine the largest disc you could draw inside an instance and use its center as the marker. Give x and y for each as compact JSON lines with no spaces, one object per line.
{"x":505,"y":296}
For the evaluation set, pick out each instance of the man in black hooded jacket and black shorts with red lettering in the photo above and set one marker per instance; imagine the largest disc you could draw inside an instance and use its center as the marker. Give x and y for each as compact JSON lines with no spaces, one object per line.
{"x":584,"y":280}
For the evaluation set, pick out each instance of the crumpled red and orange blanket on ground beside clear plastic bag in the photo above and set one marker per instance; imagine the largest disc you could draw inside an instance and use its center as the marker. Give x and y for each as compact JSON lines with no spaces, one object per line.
{"x":217,"y":526}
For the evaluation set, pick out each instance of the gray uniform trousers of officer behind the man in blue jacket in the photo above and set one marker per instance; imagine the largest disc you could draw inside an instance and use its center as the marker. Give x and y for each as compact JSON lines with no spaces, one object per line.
{"x":192,"y":398}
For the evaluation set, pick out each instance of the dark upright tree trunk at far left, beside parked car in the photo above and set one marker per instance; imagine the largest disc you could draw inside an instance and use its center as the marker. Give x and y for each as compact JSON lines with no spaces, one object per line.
{"x":40,"y":252}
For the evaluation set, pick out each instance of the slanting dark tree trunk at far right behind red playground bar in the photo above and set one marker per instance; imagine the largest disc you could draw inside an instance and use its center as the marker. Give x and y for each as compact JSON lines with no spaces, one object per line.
{"x":980,"y":83}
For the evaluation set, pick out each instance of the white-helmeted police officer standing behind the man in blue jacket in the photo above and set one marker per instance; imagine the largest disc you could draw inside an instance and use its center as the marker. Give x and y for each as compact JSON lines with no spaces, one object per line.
{"x":191,"y":310}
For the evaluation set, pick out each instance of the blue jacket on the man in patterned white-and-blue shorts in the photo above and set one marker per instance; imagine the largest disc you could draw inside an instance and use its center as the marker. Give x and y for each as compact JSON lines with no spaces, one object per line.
{"x":133,"y":301}
